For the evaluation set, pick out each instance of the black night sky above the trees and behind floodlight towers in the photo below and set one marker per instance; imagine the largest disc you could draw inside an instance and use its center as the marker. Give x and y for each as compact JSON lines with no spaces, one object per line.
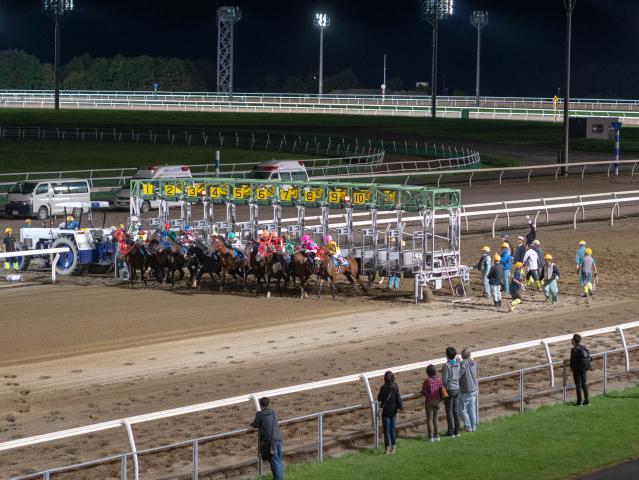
{"x":523,"y":45}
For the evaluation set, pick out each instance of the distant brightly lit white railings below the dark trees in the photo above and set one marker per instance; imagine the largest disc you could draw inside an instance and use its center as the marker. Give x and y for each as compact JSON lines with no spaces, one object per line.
{"x":492,"y":107}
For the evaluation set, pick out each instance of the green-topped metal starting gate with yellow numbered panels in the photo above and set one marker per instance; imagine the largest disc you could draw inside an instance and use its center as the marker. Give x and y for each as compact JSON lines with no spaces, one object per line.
{"x":433,"y":259}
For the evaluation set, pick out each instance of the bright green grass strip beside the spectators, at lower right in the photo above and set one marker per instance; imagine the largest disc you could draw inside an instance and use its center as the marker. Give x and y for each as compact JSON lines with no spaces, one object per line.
{"x":552,"y":442}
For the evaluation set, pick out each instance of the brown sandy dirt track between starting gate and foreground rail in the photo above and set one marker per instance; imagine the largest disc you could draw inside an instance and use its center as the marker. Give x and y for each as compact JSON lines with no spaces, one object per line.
{"x":74,"y":354}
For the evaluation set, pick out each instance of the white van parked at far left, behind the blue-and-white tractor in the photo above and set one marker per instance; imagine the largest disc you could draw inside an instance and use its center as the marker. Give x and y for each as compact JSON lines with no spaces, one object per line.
{"x":42,"y":198}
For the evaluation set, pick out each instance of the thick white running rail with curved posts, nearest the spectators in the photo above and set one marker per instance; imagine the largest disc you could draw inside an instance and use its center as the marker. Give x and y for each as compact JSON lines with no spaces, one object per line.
{"x":362,"y":379}
